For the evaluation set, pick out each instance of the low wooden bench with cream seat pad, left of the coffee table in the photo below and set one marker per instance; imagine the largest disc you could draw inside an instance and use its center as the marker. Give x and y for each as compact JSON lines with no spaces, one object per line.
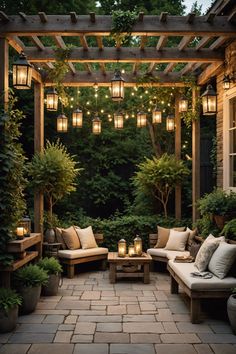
{"x":71,"y":262}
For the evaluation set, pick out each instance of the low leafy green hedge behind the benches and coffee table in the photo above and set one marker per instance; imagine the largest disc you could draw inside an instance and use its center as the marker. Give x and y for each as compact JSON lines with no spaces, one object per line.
{"x":126,"y":227}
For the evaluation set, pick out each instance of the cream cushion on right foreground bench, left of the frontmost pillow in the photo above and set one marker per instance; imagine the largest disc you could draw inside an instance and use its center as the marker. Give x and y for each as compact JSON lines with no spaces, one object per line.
{"x":206,"y":251}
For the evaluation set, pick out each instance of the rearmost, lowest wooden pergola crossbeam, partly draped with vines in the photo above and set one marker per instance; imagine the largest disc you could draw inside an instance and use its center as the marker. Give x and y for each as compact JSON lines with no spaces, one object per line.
{"x":84,"y":78}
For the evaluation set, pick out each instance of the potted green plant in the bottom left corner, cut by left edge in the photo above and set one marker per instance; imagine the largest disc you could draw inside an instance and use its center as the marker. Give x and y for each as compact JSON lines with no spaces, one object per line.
{"x":9,"y":304}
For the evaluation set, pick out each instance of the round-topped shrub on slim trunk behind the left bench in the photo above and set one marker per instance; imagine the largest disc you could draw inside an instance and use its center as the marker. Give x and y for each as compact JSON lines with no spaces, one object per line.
{"x":53,"y":172}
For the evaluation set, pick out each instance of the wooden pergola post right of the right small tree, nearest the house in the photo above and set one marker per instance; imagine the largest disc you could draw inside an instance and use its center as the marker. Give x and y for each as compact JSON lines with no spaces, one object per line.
{"x":195,"y":157}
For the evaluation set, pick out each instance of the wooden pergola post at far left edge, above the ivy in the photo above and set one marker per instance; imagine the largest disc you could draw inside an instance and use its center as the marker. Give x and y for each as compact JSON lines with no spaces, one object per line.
{"x":4,"y":70}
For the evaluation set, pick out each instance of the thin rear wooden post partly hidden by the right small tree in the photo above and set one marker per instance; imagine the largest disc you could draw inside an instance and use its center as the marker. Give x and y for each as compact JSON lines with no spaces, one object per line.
{"x":177,"y":155}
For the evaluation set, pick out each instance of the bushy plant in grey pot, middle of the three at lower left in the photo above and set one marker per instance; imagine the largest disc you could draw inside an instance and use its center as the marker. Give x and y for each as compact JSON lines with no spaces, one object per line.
{"x":29,"y":281}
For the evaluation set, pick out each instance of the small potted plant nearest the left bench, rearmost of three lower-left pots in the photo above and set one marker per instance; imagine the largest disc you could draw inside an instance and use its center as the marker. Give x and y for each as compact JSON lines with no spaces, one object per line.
{"x":53,"y":268}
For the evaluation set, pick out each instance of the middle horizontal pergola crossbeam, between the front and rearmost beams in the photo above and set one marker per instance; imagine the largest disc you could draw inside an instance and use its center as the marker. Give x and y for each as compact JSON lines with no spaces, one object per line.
{"x":129,"y":55}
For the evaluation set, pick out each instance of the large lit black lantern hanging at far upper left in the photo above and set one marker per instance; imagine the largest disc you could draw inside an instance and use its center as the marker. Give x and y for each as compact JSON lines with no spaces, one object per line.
{"x":22,"y":73}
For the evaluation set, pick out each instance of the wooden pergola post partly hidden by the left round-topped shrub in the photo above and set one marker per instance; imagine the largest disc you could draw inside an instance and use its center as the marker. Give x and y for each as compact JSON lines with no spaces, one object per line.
{"x":38,"y":146}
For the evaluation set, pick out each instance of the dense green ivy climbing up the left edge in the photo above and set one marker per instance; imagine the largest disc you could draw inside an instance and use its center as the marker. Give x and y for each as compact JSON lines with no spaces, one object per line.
{"x":12,"y":181}
